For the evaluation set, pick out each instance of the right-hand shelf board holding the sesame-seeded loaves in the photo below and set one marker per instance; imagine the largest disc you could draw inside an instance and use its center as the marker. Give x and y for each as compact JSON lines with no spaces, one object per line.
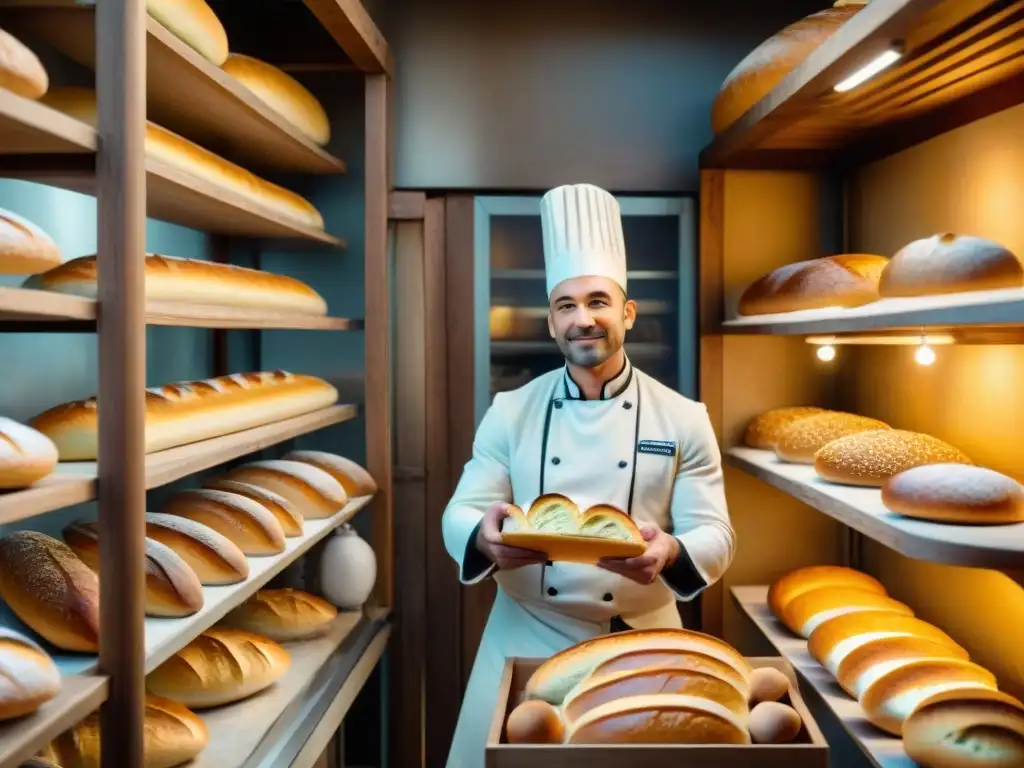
{"x":862,"y":509}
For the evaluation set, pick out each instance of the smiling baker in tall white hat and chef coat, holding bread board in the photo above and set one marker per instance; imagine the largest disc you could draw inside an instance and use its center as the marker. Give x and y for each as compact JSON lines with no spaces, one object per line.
{"x":600,"y":432}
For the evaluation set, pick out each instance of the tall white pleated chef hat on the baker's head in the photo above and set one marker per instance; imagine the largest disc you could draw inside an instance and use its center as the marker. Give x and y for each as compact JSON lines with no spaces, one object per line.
{"x":583,"y":235}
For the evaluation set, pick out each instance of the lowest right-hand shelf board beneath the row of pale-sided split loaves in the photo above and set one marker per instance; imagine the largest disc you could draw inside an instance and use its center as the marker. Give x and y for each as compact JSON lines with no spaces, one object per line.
{"x":884,"y":751}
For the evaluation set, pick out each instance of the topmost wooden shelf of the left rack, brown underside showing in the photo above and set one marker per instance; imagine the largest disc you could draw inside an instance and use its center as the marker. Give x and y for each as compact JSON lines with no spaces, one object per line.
{"x":186,"y":94}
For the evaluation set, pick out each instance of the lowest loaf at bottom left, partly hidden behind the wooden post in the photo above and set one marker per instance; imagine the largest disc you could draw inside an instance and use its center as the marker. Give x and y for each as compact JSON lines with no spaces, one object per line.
{"x":172,"y":736}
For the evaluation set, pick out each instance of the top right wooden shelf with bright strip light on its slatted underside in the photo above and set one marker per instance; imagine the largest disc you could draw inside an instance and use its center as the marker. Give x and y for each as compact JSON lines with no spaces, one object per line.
{"x":961,"y":63}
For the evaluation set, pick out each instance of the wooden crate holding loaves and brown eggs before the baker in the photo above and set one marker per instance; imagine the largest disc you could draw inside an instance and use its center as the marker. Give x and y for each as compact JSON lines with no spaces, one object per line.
{"x":809,"y":750}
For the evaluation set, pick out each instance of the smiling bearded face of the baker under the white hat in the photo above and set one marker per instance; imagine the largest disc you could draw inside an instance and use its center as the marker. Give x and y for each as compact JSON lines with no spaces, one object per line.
{"x":588,"y":318}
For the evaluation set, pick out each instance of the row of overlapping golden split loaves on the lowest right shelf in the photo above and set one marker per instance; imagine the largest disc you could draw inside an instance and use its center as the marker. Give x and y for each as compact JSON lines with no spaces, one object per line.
{"x":910,"y":677}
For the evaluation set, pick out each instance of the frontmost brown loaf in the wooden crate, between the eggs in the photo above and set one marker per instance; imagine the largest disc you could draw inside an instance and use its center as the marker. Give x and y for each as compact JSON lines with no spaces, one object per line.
{"x":659,"y":718}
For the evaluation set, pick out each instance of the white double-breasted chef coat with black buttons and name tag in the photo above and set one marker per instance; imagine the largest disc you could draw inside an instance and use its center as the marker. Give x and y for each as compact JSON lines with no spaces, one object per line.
{"x":643,"y":448}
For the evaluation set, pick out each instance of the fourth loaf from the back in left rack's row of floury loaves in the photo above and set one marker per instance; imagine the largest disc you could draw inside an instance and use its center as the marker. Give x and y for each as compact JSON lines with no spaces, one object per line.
{"x":247,"y":524}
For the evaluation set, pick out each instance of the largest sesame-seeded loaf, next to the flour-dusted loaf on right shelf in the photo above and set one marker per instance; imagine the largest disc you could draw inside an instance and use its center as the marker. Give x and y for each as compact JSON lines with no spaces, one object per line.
{"x":872,"y":458}
